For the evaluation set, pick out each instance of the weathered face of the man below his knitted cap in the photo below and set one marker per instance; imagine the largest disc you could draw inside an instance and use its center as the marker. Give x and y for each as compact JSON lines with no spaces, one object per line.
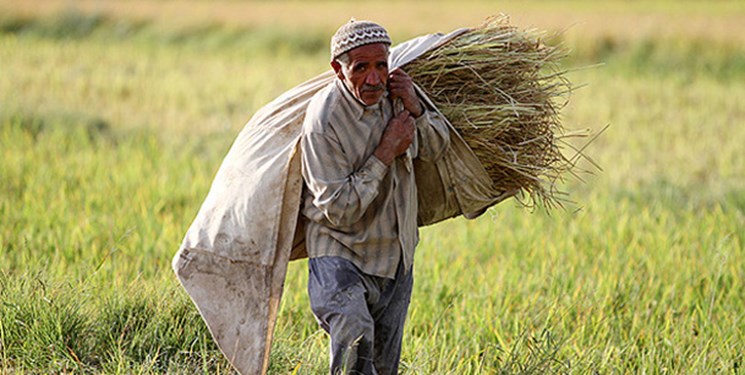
{"x":366,"y":75}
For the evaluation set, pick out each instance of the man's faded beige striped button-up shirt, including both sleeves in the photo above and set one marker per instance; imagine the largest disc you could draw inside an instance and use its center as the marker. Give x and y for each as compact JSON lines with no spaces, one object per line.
{"x":357,"y":207}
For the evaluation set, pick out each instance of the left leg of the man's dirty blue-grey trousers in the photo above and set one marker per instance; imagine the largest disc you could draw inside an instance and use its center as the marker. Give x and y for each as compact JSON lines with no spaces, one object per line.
{"x":338,"y":299}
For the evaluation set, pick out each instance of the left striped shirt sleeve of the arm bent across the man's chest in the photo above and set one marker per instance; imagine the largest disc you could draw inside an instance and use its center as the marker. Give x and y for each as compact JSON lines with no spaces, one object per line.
{"x":340,"y":192}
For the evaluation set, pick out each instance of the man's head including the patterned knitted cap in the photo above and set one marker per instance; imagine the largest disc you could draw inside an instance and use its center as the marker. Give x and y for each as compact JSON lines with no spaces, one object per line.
{"x":359,"y":56}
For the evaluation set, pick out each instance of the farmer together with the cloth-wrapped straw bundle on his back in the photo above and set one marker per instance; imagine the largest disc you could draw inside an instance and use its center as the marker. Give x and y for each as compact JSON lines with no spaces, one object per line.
{"x":379,"y":159}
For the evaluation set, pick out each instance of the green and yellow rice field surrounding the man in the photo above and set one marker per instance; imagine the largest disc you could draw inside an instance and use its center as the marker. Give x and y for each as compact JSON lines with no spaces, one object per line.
{"x":114,"y":117}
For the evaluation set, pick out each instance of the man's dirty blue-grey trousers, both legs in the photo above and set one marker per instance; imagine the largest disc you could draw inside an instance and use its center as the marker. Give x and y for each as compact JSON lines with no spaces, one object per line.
{"x":363,"y":314}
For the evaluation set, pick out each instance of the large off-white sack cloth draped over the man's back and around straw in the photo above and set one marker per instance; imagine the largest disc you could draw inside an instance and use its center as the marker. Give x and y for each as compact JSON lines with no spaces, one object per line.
{"x":234,"y":257}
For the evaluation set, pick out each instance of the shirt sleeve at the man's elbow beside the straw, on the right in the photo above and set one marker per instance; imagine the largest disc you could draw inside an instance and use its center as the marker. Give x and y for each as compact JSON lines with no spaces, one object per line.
{"x":433,"y":135}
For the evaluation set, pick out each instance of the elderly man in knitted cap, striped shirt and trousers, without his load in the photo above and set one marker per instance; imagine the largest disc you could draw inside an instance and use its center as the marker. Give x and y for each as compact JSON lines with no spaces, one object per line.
{"x":361,"y":201}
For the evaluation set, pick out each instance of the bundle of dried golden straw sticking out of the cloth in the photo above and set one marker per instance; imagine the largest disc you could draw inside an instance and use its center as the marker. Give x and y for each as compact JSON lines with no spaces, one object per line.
{"x":502,"y":88}
